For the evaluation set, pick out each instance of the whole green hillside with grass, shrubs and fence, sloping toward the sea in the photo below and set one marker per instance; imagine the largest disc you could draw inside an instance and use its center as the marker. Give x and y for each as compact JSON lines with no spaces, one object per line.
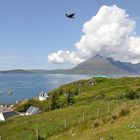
{"x":84,"y":110}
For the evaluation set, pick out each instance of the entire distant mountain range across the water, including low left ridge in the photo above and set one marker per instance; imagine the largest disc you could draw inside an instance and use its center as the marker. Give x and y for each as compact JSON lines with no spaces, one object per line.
{"x":95,"y":65}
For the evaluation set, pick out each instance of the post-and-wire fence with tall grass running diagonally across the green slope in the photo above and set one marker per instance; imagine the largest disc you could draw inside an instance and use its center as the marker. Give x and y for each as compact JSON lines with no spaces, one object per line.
{"x":100,"y":117}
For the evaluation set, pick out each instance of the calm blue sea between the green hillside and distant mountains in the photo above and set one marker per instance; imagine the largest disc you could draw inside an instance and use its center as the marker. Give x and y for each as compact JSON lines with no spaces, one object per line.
{"x":25,"y":86}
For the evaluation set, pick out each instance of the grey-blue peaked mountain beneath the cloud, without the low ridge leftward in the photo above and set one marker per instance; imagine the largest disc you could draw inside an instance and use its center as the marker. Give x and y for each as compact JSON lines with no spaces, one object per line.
{"x":101,"y":65}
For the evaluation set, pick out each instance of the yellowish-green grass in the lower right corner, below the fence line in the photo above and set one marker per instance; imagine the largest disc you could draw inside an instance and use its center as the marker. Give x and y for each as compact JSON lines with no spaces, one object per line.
{"x":126,"y":127}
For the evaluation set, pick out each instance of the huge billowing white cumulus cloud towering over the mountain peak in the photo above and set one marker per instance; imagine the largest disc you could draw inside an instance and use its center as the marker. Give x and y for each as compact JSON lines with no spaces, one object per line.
{"x":110,"y":33}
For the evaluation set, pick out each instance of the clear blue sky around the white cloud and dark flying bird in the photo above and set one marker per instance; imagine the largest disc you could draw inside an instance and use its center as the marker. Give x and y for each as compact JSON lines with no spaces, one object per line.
{"x":31,"y":29}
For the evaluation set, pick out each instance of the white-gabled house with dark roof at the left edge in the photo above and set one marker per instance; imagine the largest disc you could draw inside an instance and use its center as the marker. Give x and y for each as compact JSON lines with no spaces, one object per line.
{"x":6,"y":115}
